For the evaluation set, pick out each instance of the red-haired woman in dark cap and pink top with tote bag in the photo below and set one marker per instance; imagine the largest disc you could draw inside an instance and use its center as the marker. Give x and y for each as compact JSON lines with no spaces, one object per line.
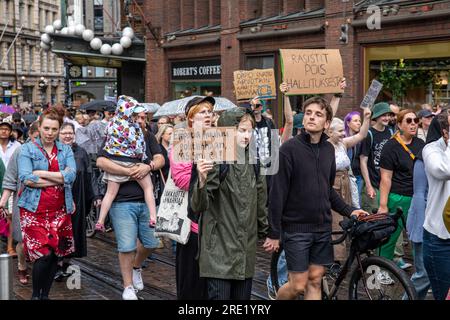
{"x":189,"y":285}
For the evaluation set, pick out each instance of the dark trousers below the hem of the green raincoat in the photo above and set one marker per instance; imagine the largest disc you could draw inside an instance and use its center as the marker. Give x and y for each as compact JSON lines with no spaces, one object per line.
{"x":224,"y":289}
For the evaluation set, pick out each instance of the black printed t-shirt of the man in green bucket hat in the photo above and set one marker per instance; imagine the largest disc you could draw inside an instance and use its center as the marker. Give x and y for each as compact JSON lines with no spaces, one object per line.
{"x":372,"y":147}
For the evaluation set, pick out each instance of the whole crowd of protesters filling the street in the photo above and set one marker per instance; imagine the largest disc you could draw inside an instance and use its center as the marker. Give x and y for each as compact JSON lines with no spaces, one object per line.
{"x":372,"y":160}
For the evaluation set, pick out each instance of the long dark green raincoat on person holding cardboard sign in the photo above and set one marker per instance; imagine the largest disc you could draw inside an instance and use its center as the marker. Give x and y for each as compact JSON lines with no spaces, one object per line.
{"x":234,"y":215}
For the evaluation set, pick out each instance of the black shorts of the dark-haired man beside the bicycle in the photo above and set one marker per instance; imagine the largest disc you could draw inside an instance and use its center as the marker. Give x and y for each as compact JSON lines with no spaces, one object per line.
{"x":305,"y":249}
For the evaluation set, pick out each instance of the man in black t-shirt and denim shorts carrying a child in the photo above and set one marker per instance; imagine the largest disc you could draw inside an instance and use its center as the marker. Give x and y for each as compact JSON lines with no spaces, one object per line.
{"x":130,"y":215}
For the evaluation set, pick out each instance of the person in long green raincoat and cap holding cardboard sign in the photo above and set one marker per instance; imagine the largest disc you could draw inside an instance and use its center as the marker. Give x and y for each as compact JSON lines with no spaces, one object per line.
{"x":232,"y":199}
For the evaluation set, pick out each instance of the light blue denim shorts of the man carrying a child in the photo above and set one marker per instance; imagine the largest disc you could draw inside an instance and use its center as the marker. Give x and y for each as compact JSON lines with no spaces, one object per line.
{"x":131,"y":222}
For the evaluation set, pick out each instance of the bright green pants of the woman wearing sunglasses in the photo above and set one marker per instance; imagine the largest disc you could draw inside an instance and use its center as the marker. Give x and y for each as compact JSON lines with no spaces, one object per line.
{"x":395,"y":201}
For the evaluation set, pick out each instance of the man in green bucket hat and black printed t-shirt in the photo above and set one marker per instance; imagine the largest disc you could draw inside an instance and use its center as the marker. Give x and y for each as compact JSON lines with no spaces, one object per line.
{"x":371,"y":147}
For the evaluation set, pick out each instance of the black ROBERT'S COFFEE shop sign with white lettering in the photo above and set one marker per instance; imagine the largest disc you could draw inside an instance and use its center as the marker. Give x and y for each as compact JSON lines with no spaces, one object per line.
{"x":196,"y":70}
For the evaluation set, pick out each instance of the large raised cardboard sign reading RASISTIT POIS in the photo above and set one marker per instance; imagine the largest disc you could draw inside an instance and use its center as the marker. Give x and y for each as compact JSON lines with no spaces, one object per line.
{"x":311,"y":71}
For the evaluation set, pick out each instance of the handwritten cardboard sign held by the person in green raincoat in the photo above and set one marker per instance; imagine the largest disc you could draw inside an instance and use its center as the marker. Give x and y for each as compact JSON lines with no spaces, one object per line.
{"x":212,"y":144}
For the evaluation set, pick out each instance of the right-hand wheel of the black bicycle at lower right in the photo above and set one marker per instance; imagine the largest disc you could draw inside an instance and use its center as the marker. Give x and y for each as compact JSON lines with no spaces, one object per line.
{"x":382,"y":280}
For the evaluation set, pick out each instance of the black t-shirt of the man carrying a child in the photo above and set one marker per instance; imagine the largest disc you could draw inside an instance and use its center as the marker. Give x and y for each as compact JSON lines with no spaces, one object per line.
{"x":130,"y":191}
